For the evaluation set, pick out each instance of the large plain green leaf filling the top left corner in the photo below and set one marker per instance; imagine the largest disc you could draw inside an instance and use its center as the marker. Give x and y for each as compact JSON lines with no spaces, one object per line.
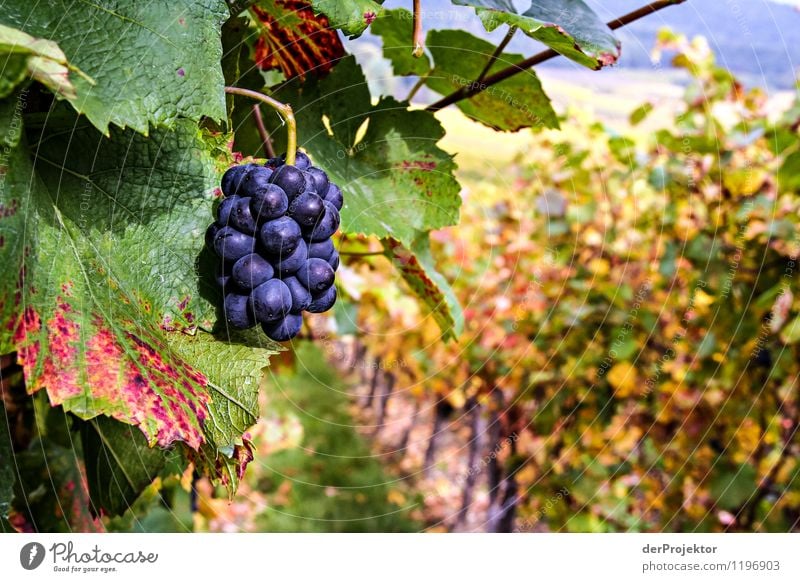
{"x":152,"y":62}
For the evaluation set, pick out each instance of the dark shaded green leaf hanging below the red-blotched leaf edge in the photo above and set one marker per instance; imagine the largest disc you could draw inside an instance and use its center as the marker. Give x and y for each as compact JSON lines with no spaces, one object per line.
{"x":119,"y":464}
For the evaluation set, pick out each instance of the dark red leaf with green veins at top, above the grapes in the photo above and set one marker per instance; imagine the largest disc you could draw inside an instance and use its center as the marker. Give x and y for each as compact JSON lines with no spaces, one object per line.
{"x":295,"y":40}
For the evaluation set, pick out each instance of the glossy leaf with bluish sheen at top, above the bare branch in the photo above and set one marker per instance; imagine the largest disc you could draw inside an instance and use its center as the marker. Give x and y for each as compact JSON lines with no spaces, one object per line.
{"x":569,"y":27}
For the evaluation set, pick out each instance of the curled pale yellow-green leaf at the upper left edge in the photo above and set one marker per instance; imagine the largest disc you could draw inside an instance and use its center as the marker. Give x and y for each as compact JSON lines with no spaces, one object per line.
{"x":41,"y":60}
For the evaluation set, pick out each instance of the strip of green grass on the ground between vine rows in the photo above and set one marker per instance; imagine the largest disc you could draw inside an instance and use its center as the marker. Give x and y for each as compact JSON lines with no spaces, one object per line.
{"x":330,"y":482}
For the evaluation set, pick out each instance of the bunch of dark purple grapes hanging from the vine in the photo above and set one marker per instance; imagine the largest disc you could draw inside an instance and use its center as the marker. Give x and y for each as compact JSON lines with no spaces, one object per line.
{"x":273,"y":236}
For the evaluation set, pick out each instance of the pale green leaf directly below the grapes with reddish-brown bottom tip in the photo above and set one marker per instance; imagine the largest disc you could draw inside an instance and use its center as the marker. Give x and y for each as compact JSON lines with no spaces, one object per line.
{"x":234,"y":370}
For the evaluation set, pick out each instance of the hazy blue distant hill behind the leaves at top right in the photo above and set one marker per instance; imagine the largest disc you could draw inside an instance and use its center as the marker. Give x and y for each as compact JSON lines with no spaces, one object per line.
{"x":757,"y":39}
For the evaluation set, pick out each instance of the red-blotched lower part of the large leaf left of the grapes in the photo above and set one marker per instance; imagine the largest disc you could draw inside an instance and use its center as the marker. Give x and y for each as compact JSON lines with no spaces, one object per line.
{"x":89,"y":371}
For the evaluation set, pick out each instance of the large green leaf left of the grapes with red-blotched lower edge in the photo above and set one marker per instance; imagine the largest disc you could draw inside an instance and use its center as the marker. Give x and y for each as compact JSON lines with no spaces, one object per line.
{"x":111,"y":245}
